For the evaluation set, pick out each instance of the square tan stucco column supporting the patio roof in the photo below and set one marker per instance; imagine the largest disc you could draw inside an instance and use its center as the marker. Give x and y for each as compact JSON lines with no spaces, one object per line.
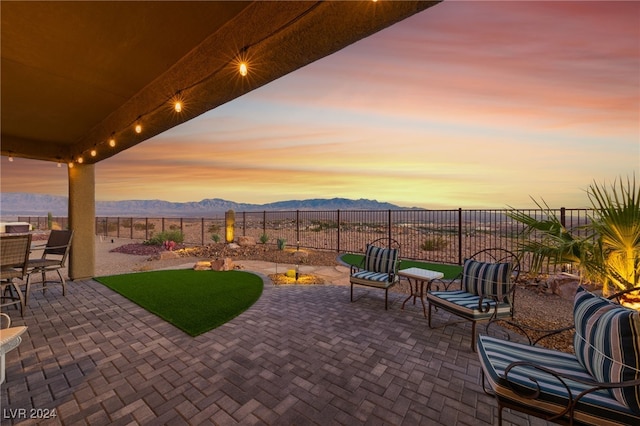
{"x":82,"y":212}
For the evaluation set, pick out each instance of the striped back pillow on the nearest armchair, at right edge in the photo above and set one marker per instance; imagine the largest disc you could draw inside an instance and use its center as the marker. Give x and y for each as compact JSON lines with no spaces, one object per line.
{"x":607,"y":343}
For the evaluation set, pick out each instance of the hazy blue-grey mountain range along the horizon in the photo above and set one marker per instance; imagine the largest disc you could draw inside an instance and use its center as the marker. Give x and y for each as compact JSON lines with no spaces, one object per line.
{"x":28,"y":204}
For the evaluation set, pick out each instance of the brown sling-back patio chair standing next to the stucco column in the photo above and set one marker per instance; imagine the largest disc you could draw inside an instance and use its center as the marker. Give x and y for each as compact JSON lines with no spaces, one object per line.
{"x":54,"y":257}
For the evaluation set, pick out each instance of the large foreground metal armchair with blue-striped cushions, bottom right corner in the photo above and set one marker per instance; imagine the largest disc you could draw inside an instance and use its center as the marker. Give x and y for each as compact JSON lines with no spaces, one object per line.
{"x":598,"y":385}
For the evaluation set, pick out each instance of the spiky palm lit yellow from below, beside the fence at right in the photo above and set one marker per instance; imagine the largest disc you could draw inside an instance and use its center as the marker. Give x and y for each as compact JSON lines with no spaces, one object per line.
{"x":609,"y":251}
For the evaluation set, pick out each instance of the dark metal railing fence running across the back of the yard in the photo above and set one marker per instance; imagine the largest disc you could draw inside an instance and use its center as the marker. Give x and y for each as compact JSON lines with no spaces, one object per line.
{"x":443,"y":236}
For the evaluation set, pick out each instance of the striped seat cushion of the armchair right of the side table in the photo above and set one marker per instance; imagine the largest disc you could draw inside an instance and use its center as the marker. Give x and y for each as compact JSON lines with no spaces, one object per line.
{"x":466,"y":304}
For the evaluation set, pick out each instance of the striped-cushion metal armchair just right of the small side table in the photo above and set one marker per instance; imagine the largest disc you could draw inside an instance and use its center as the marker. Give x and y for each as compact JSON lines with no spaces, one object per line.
{"x":484,"y":290}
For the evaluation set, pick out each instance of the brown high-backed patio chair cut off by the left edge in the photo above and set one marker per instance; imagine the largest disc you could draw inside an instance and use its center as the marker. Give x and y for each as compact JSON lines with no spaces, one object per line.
{"x":14,"y":253}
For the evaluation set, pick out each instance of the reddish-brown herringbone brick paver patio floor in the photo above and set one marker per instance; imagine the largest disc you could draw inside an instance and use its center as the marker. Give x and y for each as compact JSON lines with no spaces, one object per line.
{"x":301,"y":355}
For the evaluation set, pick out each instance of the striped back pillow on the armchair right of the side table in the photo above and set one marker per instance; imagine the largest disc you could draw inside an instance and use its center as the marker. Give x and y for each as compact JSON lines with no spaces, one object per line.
{"x":487,"y":279}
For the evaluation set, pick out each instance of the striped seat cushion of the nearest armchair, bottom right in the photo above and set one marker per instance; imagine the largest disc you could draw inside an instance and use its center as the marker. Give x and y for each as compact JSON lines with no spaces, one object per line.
{"x":598,"y":407}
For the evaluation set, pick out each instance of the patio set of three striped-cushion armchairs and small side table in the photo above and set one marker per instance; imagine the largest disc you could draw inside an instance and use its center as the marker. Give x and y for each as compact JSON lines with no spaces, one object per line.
{"x":598,"y":385}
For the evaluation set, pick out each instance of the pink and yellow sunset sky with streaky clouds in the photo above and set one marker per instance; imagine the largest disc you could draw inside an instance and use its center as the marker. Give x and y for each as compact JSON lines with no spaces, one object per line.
{"x":470,"y":104}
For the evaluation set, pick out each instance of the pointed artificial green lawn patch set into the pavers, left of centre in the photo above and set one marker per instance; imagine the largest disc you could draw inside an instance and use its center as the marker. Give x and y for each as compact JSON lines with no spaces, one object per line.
{"x":193,"y":301}
